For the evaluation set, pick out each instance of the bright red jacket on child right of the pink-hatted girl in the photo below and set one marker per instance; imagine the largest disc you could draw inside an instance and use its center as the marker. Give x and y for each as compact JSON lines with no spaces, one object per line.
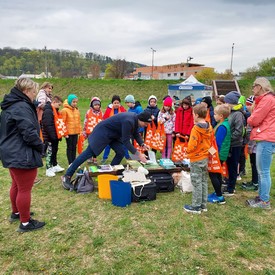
{"x":184,"y":121}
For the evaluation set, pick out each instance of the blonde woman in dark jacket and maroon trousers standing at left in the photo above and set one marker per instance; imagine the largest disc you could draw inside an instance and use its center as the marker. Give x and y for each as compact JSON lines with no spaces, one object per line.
{"x":21,"y":148}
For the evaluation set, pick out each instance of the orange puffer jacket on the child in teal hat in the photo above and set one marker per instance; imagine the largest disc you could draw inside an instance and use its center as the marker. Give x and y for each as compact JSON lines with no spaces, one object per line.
{"x":71,"y":117}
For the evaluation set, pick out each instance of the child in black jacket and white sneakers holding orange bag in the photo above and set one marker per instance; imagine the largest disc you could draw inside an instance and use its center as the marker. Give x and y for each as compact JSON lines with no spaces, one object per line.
{"x":53,"y":128}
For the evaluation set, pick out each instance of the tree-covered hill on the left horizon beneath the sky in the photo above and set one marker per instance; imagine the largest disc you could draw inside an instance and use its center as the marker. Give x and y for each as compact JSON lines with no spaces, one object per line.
{"x":62,"y":63}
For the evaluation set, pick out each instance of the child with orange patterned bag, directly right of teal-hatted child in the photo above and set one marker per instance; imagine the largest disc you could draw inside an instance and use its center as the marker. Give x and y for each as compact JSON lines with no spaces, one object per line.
{"x":92,"y":118}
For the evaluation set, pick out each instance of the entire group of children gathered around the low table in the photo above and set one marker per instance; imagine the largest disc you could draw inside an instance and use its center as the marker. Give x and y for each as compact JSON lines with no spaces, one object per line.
{"x":198,"y":123}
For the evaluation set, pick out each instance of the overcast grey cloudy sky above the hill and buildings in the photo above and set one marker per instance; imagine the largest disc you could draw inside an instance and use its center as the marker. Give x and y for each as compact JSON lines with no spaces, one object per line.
{"x":176,"y":29}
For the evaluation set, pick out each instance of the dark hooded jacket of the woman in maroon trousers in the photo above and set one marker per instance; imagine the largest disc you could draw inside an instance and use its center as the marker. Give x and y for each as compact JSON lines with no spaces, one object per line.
{"x":20,"y":144}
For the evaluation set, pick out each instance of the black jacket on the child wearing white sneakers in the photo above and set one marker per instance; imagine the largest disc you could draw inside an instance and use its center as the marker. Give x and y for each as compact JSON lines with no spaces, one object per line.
{"x":48,"y":127}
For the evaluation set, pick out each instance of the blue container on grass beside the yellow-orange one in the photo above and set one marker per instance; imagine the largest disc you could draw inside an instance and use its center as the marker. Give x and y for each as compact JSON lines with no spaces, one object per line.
{"x":121,"y":193}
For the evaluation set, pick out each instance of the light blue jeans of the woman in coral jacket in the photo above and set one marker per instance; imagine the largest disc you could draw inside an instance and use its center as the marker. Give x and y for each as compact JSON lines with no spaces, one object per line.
{"x":263,"y":162}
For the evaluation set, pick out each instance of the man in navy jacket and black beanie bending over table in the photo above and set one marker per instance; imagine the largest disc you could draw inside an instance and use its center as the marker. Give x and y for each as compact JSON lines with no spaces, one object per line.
{"x":115,"y":131}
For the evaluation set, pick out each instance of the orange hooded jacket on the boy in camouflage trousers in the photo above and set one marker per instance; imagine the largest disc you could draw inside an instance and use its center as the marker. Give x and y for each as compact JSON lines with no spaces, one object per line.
{"x":199,"y":142}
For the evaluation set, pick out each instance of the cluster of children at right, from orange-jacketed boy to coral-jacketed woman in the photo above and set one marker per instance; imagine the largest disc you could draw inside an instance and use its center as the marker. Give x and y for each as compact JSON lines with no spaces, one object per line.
{"x":231,"y":135}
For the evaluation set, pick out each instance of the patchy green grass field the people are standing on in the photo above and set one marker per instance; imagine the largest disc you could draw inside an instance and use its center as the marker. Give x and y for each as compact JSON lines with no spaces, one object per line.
{"x":87,"y":235}
